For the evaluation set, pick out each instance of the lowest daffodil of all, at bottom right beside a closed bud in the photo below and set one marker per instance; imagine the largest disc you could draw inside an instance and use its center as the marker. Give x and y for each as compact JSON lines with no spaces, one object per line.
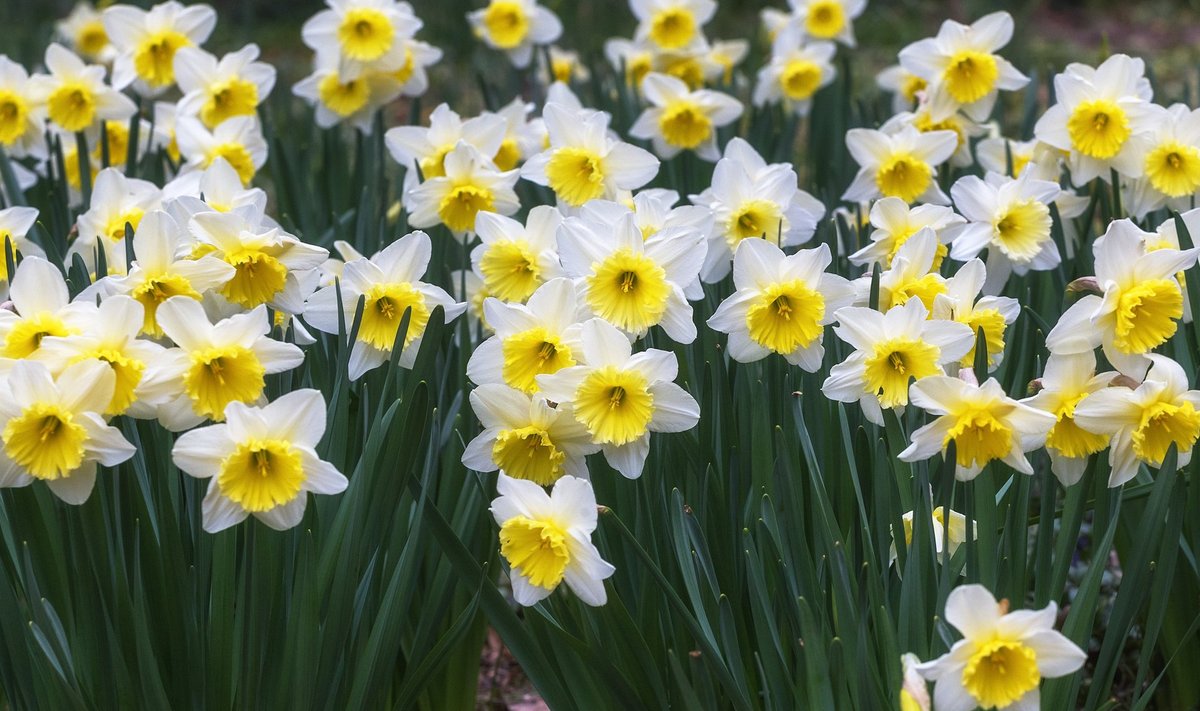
{"x":1003,"y":658}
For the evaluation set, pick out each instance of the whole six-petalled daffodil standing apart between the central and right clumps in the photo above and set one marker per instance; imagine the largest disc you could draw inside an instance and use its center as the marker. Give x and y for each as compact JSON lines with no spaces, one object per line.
{"x":782,"y":304}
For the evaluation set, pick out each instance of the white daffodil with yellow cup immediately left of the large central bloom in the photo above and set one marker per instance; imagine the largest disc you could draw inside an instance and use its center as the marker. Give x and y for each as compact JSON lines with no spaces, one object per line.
{"x":515,"y":260}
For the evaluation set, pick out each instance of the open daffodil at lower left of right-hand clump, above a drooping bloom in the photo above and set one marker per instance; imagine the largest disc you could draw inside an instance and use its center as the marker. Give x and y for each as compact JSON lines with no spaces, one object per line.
{"x":891,"y":350}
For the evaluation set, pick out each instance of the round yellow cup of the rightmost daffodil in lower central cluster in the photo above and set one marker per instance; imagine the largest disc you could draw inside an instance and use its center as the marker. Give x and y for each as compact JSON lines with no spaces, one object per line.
{"x":615,"y":405}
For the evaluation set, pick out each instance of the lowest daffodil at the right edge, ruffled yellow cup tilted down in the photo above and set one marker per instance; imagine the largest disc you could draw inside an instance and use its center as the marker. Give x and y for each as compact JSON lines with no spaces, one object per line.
{"x":1147,"y":421}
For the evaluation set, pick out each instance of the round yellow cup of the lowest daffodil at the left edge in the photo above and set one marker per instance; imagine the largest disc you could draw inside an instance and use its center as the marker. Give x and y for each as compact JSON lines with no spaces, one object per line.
{"x":45,"y":441}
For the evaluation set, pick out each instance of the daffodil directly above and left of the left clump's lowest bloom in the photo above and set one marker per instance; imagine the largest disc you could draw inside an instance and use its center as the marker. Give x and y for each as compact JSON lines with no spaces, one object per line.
{"x":215,"y":365}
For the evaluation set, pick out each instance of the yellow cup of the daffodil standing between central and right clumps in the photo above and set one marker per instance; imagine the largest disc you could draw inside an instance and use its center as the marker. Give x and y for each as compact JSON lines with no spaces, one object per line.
{"x":788,"y":316}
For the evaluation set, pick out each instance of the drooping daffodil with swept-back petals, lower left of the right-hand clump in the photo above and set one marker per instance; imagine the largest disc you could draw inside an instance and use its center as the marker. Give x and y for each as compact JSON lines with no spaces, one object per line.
{"x":983,"y":422}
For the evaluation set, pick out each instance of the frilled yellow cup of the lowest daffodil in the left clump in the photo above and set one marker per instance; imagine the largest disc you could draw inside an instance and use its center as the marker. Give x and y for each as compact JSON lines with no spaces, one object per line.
{"x":262,"y":475}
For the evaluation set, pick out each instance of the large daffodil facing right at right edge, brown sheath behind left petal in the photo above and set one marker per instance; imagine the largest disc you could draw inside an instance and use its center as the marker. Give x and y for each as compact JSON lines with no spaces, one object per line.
{"x":1141,"y":307}
